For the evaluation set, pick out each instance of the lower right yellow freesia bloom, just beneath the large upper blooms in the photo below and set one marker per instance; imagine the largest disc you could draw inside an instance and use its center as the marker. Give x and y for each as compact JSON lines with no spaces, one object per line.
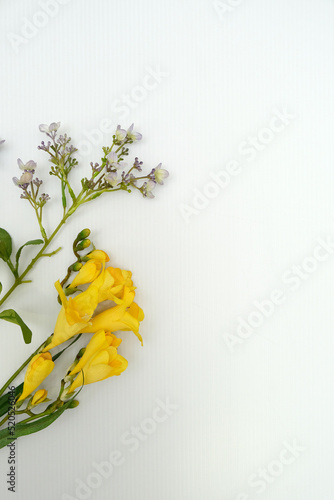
{"x":100,"y":360}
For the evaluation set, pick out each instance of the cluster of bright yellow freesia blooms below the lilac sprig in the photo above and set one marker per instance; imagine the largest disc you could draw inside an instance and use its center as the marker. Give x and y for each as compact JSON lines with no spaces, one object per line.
{"x":78,"y":314}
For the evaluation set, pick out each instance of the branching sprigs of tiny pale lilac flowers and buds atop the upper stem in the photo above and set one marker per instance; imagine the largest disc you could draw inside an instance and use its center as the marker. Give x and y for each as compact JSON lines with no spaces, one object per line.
{"x":111,"y":174}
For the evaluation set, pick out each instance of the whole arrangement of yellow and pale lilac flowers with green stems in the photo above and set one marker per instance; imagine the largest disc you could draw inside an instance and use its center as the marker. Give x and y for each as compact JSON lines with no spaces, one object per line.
{"x":95,"y":298}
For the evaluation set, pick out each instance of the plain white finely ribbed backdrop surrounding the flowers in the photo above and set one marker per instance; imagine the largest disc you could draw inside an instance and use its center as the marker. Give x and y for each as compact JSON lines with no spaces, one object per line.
{"x":227,"y":68}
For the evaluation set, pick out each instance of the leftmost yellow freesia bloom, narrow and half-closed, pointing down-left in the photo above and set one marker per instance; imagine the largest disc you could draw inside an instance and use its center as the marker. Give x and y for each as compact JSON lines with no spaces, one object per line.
{"x":38,"y":369}
